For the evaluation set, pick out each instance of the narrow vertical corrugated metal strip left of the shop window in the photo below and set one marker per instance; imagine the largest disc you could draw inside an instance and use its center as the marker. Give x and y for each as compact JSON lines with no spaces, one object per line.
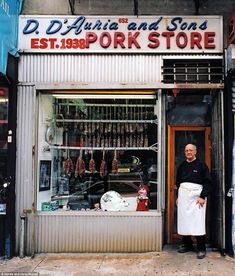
{"x":24,"y":158}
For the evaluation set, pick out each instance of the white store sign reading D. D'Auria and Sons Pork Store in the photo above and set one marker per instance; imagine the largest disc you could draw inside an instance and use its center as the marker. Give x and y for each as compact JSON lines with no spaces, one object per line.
{"x":158,"y":34}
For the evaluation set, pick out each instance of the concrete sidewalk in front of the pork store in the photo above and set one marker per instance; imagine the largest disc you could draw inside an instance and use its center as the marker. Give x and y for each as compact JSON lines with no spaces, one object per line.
{"x":167,"y":262}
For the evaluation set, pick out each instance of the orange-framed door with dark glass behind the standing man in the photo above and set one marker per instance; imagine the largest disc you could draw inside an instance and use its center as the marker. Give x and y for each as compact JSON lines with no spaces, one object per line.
{"x":178,"y":137}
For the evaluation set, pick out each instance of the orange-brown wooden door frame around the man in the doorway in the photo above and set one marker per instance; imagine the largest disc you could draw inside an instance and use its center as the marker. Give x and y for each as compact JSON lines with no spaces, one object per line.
{"x":170,"y":168}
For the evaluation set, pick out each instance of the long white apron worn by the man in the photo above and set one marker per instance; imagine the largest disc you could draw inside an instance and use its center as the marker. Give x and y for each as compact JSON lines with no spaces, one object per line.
{"x":191,"y":219}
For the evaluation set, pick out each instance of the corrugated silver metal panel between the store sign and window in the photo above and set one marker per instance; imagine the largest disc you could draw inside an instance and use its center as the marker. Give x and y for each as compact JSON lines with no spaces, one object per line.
{"x":121,"y":69}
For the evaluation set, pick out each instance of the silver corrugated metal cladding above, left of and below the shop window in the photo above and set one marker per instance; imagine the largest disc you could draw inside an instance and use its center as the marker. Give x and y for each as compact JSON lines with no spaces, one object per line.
{"x":78,"y":232}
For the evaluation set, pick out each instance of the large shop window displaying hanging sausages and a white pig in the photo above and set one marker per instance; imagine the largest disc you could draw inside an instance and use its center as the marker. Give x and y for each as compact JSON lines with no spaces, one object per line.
{"x":96,"y":151}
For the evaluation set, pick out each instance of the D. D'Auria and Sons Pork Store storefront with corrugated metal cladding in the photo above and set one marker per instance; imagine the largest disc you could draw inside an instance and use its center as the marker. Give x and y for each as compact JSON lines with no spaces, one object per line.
{"x":105,"y":104}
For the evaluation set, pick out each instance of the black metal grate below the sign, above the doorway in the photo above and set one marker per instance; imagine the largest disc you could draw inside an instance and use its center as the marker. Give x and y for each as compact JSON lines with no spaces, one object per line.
{"x":193,"y":71}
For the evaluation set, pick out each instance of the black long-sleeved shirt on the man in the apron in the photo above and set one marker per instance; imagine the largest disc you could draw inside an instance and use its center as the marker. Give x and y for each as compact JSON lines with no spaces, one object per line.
{"x":195,"y":172}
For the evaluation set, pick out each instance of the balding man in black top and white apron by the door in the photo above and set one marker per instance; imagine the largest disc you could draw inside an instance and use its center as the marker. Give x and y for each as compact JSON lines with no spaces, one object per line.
{"x":194,"y":183}
